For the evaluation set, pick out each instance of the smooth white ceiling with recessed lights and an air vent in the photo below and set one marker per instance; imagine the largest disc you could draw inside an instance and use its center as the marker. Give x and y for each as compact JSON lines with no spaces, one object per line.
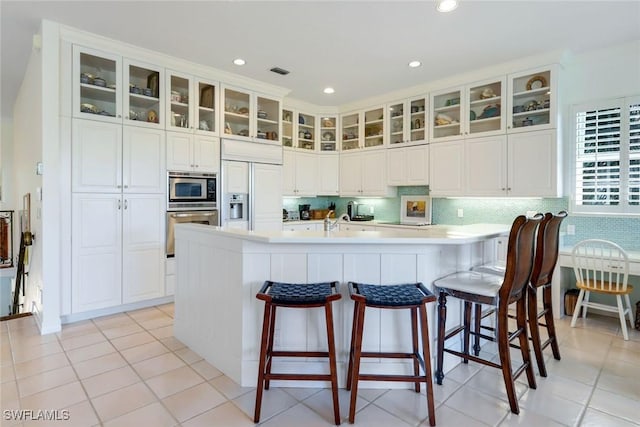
{"x":360,"y":48}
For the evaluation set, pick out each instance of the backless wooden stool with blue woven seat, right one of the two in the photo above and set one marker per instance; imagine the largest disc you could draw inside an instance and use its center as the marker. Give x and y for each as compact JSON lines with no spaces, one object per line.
{"x":407,"y":296}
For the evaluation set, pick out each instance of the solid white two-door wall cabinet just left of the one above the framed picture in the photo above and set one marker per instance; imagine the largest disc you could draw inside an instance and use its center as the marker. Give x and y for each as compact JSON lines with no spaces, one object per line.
{"x":364,"y":174}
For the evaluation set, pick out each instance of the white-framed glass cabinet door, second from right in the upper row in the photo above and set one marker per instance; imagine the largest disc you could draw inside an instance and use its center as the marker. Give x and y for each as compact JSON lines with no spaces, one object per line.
{"x":485,"y":113}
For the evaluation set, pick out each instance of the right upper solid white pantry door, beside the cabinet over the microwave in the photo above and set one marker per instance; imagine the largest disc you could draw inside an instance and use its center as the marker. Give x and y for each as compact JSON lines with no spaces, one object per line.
{"x":143,"y":160}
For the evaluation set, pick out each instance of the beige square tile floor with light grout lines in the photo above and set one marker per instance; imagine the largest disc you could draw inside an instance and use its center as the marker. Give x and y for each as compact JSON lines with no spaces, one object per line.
{"x":129,"y":370}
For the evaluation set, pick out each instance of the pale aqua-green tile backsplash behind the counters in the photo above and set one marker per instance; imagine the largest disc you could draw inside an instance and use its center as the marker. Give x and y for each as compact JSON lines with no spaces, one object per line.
{"x":624,"y":231}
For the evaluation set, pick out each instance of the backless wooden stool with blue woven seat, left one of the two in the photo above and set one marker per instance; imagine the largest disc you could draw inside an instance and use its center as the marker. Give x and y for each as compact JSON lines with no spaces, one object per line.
{"x":293,"y":295}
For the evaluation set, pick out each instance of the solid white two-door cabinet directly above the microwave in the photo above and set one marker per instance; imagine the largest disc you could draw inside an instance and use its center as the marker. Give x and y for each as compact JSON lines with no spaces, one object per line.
{"x":195,"y":153}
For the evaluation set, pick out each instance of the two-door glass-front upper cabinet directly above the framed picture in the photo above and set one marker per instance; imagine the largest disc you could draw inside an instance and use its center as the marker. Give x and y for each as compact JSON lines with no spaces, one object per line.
{"x":407,"y":121}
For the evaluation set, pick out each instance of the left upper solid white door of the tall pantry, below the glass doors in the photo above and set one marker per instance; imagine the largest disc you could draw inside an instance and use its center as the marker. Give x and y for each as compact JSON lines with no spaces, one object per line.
{"x":96,"y":157}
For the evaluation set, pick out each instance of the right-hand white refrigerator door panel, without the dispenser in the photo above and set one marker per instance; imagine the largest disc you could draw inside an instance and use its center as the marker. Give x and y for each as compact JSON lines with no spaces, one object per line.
{"x":266,"y":204}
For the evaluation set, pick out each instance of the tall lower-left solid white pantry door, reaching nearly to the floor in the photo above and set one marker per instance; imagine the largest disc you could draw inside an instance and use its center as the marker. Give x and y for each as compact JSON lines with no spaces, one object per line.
{"x":96,"y":269}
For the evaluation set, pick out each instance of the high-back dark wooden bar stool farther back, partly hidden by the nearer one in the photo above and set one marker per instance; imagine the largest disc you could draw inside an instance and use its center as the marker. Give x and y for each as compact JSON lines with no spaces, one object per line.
{"x":547,"y":248}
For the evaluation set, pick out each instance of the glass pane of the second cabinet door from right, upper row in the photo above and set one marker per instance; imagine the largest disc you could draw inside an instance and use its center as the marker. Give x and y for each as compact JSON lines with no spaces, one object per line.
{"x":485,"y":107}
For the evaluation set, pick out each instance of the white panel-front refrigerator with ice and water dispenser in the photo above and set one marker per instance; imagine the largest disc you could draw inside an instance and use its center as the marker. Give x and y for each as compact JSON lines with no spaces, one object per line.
{"x":252,"y":190}
